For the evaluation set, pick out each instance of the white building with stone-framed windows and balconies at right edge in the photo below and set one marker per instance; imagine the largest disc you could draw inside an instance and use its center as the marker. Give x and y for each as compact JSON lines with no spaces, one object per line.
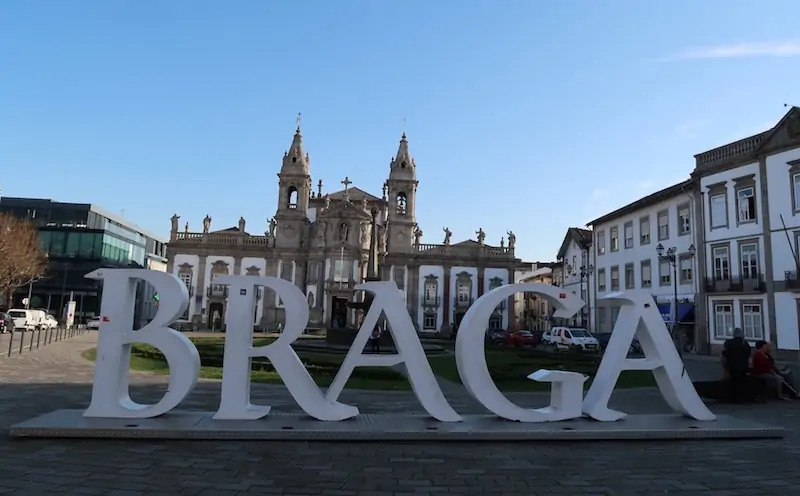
{"x":750,"y":196}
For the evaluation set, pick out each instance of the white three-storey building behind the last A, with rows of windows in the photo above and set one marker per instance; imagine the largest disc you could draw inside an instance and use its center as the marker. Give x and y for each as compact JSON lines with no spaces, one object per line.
{"x":626,"y":256}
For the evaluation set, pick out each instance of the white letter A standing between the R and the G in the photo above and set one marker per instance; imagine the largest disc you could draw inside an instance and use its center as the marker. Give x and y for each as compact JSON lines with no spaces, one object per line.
{"x":409,"y":352}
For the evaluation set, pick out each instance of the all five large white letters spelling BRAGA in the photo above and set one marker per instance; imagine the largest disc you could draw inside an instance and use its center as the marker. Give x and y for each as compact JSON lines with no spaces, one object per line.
{"x":110,"y":397}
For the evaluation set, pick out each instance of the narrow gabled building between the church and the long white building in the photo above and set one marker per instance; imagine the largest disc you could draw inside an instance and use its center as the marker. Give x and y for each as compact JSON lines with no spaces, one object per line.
{"x":576,"y":271}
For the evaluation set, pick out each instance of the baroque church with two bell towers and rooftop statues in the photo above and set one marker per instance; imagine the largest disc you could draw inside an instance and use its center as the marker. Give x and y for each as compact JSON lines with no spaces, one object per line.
{"x":321,"y":242}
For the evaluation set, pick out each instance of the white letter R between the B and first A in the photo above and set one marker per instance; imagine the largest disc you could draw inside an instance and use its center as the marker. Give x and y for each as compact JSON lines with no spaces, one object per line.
{"x":239,"y":350}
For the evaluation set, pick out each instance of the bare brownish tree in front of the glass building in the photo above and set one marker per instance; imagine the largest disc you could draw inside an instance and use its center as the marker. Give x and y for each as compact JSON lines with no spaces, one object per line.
{"x":22,"y":260}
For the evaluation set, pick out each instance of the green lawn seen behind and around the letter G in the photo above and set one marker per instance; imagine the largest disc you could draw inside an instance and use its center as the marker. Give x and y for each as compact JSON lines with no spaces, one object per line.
{"x":510,"y":368}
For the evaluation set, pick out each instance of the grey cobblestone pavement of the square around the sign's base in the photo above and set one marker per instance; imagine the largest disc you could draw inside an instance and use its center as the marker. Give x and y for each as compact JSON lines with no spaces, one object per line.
{"x":56,"y":377}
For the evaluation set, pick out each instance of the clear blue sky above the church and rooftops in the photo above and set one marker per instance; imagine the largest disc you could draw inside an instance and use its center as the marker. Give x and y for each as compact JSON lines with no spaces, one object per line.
{"x":524,"y":115}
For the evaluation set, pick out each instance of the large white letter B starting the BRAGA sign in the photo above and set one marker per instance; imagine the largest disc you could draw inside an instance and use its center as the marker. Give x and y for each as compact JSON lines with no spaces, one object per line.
{"x":110,"y":395}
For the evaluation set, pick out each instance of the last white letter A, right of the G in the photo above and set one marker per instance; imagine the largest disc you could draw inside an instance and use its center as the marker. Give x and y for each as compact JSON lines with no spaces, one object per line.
{"x":661,"y":356}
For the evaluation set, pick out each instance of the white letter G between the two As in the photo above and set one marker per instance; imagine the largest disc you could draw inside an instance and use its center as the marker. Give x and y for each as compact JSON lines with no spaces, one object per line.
{"x":471,"y":360}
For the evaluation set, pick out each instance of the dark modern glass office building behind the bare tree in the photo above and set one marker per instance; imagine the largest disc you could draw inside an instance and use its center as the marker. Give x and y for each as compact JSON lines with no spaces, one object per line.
{"x":79,"y":238}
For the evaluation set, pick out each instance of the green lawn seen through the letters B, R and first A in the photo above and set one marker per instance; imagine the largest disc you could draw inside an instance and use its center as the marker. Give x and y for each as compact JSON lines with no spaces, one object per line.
{"x":322,"y":367}
